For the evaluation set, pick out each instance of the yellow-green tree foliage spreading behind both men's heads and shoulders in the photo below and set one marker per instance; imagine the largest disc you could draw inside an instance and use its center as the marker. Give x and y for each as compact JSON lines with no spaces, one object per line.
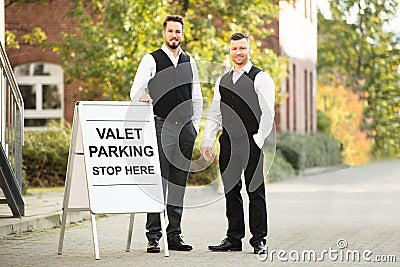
{"x":113,"y":36}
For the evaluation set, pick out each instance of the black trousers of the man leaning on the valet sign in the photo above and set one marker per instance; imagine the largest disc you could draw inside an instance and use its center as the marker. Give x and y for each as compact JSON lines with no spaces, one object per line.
{"x":175,"y":146}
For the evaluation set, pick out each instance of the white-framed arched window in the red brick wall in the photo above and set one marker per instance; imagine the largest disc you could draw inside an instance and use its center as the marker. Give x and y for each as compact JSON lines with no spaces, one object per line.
{"x":42,"y":88}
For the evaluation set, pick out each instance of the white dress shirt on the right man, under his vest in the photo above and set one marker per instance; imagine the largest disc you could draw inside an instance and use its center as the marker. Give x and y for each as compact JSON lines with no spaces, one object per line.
{"x":265,"y":89}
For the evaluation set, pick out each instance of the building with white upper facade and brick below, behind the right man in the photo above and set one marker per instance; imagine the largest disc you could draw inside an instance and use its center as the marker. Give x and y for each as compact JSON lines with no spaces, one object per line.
{"x":298,"y":41}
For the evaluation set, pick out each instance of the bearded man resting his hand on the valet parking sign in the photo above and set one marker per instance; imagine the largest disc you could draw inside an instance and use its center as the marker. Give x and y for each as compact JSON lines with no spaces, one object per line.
{"x":171,"y":77}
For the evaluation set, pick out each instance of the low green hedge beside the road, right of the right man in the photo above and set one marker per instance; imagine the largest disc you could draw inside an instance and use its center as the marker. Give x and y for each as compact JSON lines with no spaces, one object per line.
{"x":305,"y":151}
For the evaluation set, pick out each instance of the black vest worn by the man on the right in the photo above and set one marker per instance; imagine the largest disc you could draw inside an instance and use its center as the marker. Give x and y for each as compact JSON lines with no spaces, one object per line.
{"x":239,"y":104}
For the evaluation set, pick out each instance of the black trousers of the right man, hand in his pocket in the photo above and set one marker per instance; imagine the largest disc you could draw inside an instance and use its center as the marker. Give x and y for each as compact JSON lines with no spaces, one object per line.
{"x":243,"y":154}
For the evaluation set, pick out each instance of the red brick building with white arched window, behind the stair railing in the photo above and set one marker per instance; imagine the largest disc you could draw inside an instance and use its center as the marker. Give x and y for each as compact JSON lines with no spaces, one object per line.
{"x":38,"y":72}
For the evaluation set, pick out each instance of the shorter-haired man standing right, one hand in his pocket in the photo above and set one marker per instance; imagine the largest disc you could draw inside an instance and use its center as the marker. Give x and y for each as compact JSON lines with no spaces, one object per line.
{"x":243,"y":104}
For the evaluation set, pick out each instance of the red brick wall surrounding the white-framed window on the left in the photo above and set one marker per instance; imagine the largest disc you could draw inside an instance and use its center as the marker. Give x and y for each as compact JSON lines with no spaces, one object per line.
{"x":51,"y":17}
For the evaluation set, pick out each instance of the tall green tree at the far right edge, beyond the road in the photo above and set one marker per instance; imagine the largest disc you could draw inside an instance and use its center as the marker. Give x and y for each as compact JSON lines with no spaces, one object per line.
{"x":357,"y":52}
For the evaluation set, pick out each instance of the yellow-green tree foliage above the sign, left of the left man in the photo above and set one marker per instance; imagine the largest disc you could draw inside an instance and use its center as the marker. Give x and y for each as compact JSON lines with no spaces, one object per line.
{"x":108,"y":44}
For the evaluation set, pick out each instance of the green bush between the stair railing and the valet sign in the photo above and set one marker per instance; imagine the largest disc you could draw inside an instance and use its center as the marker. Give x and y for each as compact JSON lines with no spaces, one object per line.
{"x":45,"y":156}
